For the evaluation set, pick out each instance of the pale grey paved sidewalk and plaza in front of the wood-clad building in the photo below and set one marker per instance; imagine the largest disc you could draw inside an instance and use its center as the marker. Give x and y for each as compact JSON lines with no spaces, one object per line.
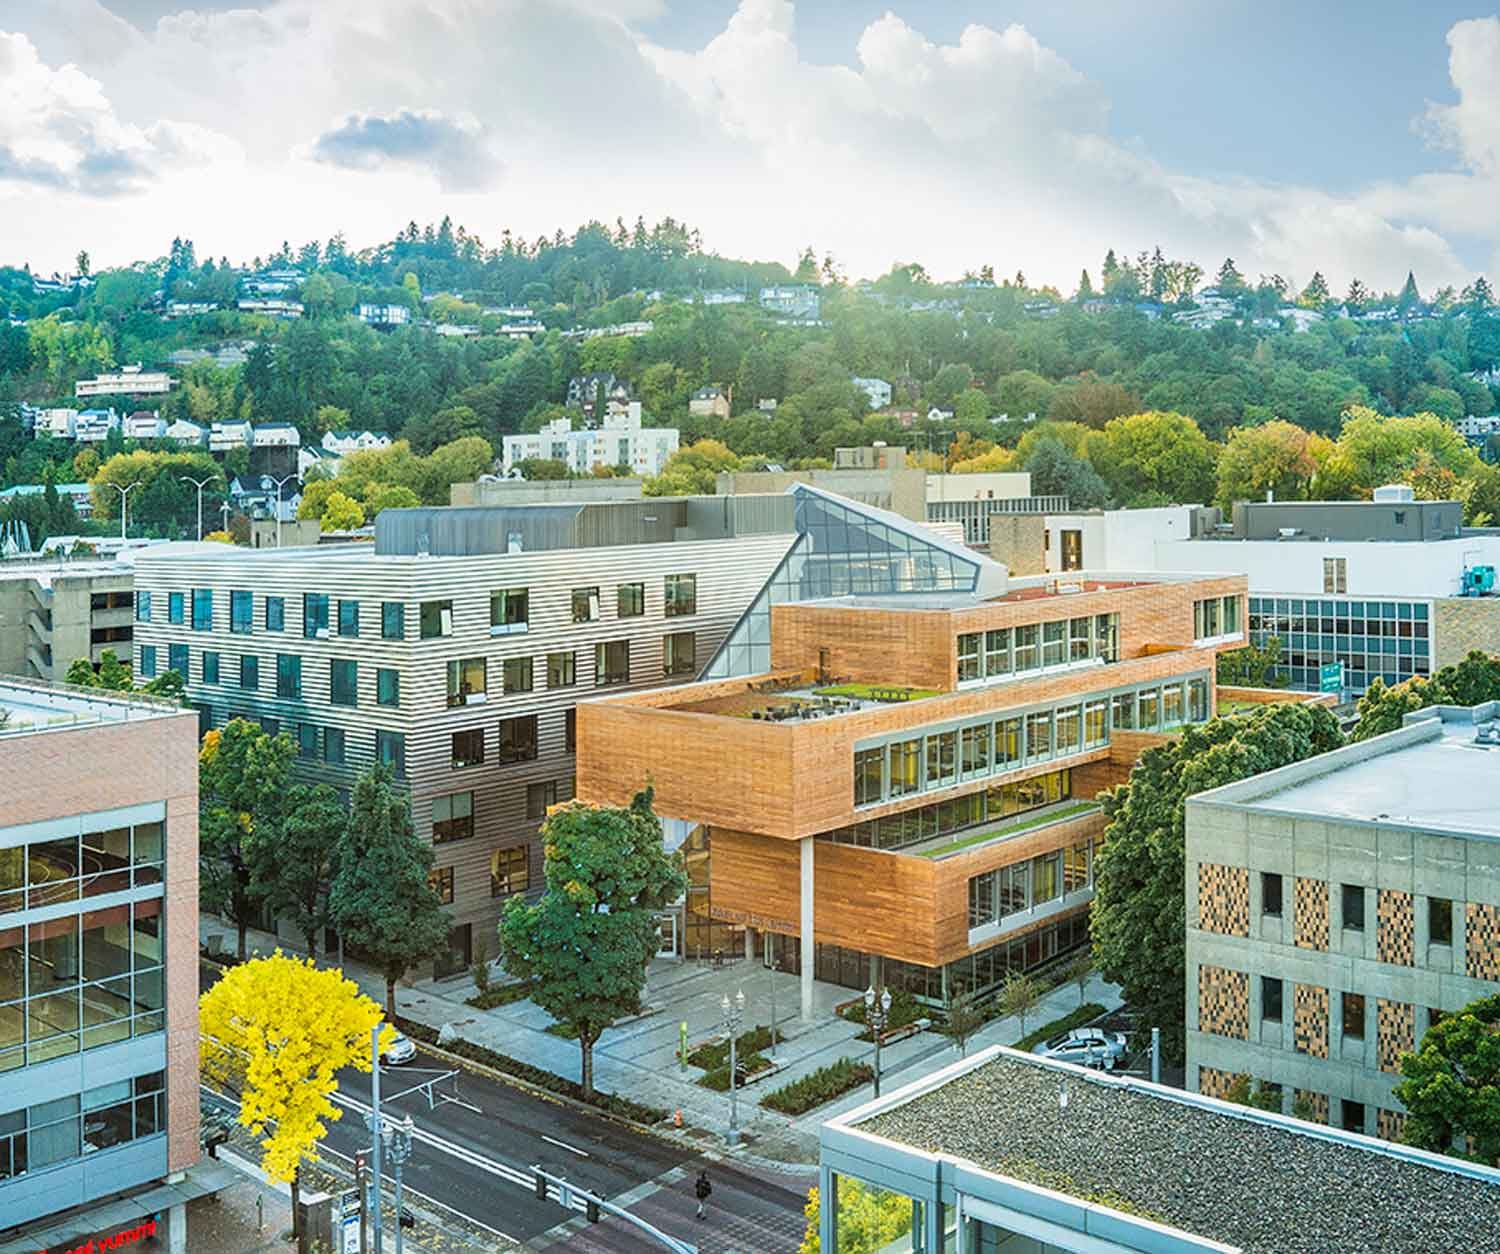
{"x":640,"y":1058}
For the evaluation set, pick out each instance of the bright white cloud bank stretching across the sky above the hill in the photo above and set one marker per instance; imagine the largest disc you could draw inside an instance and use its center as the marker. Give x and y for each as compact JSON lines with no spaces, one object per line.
{"x":989,"y":149}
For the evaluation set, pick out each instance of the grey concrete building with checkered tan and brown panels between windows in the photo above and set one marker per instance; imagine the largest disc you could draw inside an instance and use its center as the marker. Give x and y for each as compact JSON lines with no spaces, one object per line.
{"x":1337,"y":908}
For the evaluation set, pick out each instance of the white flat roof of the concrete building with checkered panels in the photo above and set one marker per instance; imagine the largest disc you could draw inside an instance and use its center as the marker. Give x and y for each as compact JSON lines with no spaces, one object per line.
{"x":1430,"y":775}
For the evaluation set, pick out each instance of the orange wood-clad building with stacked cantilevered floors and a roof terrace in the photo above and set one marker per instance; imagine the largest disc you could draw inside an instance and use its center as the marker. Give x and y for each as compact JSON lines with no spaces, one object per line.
{"x":904,"y":793}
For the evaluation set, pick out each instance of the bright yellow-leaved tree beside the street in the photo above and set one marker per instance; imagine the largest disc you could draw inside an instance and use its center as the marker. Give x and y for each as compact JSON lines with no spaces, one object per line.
{"x":275,"y":1033}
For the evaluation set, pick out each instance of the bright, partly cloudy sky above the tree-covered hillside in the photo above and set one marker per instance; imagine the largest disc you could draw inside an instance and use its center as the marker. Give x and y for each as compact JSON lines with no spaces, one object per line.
{"x":1358,"y":140}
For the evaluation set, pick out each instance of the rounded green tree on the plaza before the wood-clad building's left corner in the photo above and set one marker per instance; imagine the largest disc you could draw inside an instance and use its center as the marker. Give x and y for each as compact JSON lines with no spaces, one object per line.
{"x":584,"y":949}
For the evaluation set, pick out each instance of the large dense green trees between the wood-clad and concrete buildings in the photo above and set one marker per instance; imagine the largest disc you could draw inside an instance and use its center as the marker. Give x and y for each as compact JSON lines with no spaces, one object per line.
{"x":1139,"y":913}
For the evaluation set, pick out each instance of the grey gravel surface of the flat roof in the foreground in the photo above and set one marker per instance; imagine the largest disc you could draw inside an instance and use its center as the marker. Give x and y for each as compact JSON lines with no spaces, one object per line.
{"x":1238,"y":1181}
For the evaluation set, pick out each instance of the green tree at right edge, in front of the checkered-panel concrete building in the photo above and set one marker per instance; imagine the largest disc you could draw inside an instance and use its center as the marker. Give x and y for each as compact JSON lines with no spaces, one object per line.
{"x":1451,"y":1085}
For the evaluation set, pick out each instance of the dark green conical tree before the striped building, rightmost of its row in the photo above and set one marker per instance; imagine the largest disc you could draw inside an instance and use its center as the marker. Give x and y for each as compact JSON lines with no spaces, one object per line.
{"x":382,"y":899}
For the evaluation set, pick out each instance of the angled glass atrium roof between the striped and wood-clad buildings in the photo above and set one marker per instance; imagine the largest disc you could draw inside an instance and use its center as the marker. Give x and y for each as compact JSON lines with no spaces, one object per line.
{"x":845,"y":548}
